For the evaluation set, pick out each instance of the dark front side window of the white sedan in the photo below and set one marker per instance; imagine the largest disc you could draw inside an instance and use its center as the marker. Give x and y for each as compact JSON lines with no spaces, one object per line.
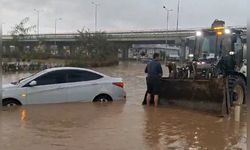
{"x":55,"y":77}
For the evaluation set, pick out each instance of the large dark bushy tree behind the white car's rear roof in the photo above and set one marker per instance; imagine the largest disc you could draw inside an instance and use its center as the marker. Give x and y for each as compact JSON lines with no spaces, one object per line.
{"x":95,"y":49}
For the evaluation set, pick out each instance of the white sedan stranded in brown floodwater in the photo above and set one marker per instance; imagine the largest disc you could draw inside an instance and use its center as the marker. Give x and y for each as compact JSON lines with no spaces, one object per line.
{"x":63,"y":84}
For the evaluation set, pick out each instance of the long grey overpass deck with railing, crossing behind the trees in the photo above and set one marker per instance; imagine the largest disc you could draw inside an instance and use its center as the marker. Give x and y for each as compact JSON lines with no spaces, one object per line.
{"x":131,"y":36}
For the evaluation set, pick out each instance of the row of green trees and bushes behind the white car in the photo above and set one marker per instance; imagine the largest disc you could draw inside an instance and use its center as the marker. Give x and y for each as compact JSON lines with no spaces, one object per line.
{"x":90,"y":49}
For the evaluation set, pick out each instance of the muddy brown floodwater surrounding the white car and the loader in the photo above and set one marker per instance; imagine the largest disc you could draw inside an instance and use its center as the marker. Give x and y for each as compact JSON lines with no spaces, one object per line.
{"x":118,"y":125}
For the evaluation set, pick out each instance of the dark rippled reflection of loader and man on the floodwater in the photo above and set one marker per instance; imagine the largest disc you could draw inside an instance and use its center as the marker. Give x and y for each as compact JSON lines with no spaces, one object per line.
{"x":173,"y":128}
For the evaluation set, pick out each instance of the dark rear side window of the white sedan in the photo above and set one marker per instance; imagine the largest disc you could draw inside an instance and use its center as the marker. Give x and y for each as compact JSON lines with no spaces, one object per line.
{"x":78,"y":76}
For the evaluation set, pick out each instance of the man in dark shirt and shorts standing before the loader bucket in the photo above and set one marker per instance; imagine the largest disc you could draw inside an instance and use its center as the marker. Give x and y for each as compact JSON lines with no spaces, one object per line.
{"x":154,"y":73}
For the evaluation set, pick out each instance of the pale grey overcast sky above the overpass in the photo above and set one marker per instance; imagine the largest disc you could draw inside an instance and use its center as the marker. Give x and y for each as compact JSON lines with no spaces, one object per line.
{"x":121,"y":15}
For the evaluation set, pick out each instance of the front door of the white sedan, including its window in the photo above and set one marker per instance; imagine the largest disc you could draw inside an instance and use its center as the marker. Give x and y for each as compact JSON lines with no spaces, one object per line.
{"x":50,"y":88}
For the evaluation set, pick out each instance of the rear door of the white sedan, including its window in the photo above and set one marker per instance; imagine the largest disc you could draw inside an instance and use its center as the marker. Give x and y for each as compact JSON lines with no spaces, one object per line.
{"x":82,"y":85}
